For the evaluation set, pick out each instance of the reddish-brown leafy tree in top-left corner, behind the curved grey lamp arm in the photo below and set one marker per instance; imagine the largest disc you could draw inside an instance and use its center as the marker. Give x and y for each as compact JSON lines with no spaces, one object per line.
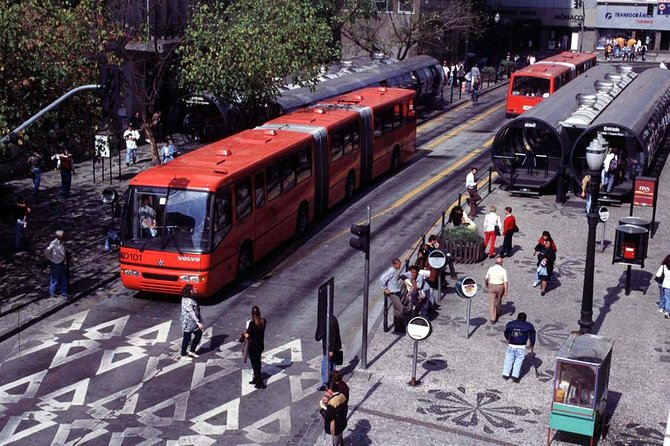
{"x":47,"y":48}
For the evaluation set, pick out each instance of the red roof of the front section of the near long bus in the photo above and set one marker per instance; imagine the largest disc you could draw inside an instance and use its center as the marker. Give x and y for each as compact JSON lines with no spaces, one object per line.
{"x":217,"y":163}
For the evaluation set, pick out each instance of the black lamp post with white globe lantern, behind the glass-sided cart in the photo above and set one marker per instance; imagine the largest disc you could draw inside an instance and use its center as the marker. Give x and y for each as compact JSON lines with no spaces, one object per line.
{"x":595,"y":156}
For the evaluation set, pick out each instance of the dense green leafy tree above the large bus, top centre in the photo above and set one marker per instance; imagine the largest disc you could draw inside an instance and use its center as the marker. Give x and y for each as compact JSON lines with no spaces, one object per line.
{"x":243,"y":53}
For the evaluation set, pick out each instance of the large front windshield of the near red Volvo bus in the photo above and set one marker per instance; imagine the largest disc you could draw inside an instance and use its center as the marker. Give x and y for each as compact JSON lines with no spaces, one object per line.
{"x":163,"y":219}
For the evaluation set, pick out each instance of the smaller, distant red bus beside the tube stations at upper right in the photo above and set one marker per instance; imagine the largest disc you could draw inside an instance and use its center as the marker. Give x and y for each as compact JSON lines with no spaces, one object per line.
{"x":530,"y":85}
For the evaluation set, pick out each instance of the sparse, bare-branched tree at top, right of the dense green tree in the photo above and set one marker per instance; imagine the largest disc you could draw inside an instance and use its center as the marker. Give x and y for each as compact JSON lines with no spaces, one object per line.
{"x":423,"y":26}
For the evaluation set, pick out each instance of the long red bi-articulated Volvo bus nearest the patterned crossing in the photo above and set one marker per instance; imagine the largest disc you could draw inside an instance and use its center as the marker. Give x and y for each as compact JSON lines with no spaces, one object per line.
{"x":204,"y":218}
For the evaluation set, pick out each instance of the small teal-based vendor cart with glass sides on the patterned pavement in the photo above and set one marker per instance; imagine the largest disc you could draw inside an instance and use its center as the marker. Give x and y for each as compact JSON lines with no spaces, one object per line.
{"x":581,"y":379}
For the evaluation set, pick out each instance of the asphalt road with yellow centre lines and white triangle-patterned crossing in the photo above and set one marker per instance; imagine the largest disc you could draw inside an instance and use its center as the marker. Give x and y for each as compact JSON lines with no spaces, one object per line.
{"x":106,"y":368}
